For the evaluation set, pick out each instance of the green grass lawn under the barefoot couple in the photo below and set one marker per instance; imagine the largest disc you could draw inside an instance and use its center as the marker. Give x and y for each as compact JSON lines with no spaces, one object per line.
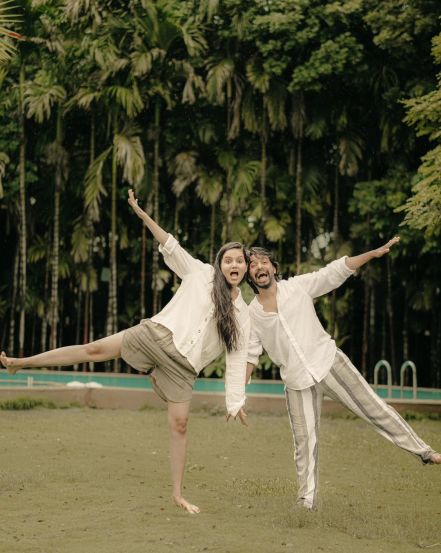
{"x":89,"y":481}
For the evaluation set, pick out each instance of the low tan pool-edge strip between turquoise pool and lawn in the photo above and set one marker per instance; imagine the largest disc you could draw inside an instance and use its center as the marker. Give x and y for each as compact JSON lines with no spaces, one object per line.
{"x":213,"y":402}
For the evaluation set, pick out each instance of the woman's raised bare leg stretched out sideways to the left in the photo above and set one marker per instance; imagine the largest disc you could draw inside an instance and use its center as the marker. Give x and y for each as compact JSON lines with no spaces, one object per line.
{"x":100,"y":350}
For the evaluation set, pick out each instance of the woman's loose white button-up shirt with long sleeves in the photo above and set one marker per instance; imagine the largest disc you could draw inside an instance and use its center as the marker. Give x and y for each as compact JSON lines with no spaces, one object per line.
{"x":189,"y":316}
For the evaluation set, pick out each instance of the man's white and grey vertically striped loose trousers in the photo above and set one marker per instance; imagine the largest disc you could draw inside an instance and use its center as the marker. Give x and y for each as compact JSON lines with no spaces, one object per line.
{"x":345,"y":384}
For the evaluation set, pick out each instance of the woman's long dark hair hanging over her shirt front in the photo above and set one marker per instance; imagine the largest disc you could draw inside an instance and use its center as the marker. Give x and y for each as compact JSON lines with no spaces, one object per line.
{"x":224,"y":316}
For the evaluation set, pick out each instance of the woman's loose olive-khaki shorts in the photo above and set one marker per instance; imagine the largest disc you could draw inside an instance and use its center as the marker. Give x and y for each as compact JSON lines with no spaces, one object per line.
{"x":149,"y":347}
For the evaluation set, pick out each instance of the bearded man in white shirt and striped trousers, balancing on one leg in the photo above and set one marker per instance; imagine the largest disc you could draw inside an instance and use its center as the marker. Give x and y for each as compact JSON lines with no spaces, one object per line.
{"x":285,"y":324}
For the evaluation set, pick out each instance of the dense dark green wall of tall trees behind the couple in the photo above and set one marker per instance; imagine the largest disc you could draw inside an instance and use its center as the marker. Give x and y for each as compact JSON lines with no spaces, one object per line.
{"x":311,"y":126}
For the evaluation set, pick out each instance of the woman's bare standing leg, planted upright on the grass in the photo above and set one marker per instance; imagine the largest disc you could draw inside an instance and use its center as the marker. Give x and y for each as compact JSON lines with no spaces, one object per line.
{"x":177,"y":420}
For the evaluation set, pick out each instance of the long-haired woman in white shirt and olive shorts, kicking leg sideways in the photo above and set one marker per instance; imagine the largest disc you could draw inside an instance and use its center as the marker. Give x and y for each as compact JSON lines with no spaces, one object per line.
{"x":206,"y":316}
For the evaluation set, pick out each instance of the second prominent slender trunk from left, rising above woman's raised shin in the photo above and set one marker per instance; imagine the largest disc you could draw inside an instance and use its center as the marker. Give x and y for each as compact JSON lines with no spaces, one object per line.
{"x":54,"y":307}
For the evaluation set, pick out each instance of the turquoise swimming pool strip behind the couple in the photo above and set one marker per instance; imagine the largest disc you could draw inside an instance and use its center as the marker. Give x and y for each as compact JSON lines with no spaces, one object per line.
{"x":34,"y":378}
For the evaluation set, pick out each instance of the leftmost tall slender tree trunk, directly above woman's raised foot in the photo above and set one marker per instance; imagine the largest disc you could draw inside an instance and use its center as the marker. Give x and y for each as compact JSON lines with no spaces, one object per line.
{"x":23,"y":241}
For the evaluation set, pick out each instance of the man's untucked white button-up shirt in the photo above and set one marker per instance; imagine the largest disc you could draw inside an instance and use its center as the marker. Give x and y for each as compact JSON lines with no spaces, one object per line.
{"x":293,"y":337}
